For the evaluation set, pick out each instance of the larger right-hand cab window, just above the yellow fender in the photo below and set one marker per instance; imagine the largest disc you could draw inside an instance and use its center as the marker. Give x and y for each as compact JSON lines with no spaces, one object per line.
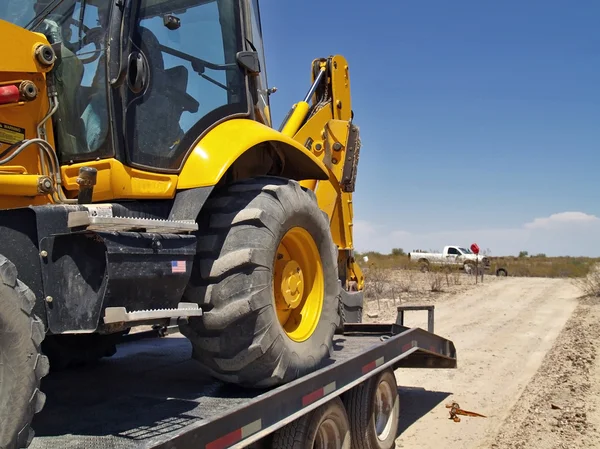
{"x":193,"y":79}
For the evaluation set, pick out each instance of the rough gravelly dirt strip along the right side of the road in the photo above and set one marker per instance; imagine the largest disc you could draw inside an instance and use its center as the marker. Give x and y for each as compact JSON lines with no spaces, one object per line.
{"x":560,"y":407}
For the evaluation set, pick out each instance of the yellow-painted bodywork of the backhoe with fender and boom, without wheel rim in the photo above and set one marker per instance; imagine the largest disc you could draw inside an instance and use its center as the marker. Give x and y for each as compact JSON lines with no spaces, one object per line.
{"x":318,"y":166}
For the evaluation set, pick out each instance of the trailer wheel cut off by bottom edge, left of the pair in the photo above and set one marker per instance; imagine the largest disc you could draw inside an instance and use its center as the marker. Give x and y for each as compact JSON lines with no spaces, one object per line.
{"x":326,"y":427}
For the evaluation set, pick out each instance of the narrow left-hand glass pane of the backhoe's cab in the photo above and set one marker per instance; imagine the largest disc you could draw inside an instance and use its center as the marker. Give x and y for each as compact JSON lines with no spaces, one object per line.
{"x":81,"y":123}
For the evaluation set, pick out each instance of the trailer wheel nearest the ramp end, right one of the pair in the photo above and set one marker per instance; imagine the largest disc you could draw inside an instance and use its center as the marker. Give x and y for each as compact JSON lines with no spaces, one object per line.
{"x":374,"y":409}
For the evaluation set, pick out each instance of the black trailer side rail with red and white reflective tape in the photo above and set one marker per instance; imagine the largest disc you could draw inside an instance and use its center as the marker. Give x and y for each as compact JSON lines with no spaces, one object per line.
{"x":399,"y":347}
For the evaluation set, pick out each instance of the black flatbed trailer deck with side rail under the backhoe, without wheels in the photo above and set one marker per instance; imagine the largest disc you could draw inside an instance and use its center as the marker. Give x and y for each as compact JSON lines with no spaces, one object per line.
{"x":152,"y":395}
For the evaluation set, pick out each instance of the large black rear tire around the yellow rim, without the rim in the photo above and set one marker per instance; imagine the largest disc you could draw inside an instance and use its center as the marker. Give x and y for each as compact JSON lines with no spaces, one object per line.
{"x":240,"y":339}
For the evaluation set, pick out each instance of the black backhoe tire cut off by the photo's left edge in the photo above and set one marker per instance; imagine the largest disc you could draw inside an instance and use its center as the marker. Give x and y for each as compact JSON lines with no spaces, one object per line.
{"x":22,"y":364}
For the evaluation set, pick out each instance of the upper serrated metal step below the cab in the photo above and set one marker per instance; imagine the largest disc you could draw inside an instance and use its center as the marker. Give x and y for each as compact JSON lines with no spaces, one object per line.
{"x":92,"y":222}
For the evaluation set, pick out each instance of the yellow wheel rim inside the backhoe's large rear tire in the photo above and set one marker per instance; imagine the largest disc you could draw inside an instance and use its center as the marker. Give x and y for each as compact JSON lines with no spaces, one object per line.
{"x":298,"y":284}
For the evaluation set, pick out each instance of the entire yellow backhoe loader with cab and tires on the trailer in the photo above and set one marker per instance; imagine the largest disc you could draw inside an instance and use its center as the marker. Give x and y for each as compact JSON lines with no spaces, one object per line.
{"x":142,"y":181}
